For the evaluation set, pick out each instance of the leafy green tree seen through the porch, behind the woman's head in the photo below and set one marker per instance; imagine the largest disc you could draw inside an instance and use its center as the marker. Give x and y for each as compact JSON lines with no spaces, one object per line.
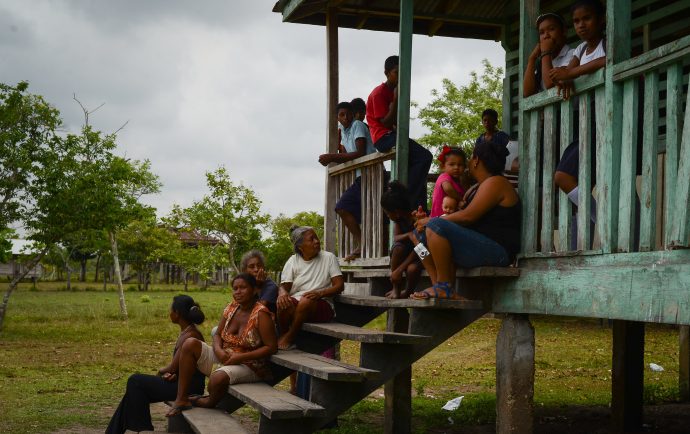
{"x":455,"y":113}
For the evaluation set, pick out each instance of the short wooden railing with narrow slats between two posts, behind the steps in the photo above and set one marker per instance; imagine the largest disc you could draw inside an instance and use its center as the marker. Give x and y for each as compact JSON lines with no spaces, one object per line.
{"x":374,"y":235}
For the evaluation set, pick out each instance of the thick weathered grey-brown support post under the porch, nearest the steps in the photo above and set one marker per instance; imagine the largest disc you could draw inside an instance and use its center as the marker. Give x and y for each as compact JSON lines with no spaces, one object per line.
{"x":515,"y":376}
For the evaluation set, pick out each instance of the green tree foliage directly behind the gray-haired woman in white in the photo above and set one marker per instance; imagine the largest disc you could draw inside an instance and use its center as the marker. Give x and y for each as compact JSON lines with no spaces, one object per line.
{"x":279,"y":246}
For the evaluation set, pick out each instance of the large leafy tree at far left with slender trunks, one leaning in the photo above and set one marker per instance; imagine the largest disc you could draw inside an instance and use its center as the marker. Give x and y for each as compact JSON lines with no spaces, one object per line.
{"x":78,"y":184}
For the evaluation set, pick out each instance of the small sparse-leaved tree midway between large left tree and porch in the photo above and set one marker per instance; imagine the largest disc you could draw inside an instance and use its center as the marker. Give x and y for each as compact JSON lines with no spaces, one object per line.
{"x":230,"y":213}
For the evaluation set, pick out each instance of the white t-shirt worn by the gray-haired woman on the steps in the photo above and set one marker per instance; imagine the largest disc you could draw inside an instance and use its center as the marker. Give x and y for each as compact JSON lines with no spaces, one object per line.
{"x":309,"y":275}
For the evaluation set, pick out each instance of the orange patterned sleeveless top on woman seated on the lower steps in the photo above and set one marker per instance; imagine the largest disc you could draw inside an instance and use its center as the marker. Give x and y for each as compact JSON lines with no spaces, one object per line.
{"x":249,"y":338}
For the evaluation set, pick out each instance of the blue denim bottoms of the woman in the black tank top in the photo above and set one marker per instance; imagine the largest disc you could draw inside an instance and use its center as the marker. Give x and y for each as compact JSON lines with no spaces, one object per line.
{"x":469,"y":248}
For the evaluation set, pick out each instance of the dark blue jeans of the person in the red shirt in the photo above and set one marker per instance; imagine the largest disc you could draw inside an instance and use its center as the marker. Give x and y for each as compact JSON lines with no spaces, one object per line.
{"x":418,"y":164}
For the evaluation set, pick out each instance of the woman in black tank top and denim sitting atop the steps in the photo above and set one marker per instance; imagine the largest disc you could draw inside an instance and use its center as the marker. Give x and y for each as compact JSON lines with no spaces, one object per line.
{"x":486,"y":232}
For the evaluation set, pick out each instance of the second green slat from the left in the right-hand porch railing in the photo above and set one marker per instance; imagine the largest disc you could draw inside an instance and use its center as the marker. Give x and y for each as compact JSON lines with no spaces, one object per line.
{"x":547,"y":188}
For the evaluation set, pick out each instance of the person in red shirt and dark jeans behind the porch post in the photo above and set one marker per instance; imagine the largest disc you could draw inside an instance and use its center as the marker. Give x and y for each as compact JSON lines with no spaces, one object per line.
{"x":382,"y":111}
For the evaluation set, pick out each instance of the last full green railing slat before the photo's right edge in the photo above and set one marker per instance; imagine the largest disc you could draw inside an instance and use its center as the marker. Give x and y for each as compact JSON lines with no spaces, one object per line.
{"x":674,"y":101}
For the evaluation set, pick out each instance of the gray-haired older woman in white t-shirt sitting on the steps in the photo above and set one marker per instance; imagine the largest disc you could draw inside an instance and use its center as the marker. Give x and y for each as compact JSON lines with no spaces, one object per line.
{"x":310,"y":279}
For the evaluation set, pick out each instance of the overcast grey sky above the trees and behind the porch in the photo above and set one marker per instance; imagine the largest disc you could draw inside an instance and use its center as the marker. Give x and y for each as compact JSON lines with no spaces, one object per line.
{"x":209,"y":83}
